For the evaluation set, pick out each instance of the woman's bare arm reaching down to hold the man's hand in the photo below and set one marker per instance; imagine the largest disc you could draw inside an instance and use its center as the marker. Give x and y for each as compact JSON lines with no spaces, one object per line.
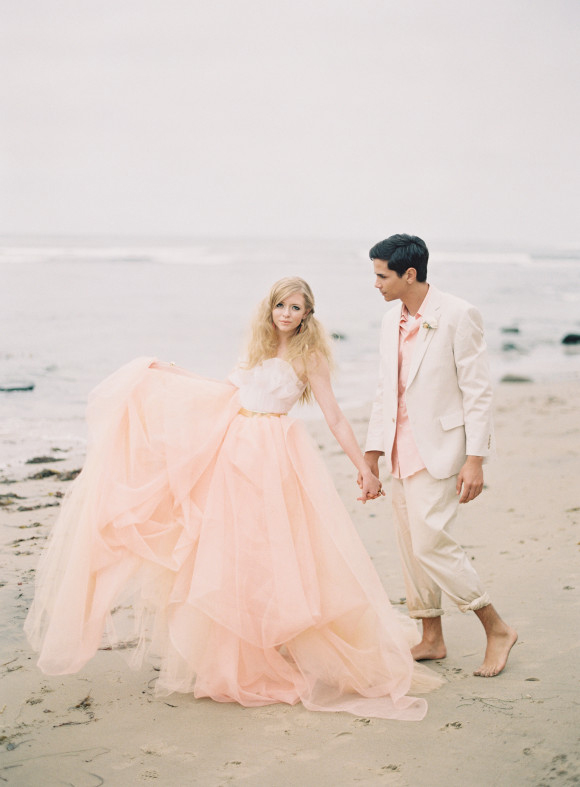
{"x":319,"y":378}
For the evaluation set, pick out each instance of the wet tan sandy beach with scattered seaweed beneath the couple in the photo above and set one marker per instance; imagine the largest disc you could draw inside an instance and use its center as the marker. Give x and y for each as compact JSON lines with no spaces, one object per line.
{"x":105,"y":726}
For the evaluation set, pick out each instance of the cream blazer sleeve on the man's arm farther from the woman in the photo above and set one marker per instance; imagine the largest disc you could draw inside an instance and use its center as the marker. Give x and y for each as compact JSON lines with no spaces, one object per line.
{"x":473,"y":378}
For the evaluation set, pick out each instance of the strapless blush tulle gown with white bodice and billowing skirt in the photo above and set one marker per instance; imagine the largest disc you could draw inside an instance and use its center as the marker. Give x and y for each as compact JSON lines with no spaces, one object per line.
{"x":218,"y":542}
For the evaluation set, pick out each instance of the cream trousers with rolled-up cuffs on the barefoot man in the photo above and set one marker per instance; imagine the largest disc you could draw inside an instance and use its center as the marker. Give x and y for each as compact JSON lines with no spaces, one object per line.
{"x":425,"y":510}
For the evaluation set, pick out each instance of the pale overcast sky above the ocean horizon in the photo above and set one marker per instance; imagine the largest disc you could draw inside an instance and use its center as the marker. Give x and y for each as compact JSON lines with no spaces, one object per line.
{"x":454,"y":119}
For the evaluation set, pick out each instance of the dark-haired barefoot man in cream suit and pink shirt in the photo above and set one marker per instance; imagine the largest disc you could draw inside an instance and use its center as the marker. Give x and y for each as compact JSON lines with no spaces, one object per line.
{"x":432,"y":420}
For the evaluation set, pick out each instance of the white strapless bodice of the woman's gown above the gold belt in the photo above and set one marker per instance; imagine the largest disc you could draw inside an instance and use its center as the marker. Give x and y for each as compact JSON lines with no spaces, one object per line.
{"x":271,"y":387}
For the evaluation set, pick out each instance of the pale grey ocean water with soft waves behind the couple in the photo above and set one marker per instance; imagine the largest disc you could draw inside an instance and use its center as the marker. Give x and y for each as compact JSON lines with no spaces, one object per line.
{"x":72,"y":311}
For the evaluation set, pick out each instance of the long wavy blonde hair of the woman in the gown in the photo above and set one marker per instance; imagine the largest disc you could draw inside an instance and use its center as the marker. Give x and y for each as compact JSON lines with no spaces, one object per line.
{"x":309,"y":338}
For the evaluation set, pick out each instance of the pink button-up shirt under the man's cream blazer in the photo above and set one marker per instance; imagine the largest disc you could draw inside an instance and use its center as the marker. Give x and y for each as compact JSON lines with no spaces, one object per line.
{"x":405,"y":455}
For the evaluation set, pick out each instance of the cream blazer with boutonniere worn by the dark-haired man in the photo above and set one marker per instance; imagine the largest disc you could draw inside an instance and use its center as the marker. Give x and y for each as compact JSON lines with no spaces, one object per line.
{"x":448,"y":395}
